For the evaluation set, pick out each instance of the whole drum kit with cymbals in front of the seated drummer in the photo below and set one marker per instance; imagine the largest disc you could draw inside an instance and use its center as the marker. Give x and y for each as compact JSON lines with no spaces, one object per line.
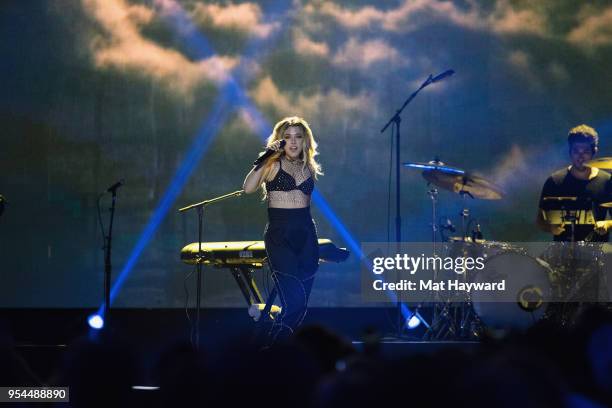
{"x":540,"y":281}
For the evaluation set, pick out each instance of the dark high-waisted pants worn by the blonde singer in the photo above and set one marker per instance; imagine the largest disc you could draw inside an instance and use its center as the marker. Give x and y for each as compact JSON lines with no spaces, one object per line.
{"x":293,"y":256}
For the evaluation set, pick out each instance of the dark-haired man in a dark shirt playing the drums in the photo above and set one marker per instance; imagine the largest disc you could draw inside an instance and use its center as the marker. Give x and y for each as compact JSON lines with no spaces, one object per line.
{"x":589,"y":185}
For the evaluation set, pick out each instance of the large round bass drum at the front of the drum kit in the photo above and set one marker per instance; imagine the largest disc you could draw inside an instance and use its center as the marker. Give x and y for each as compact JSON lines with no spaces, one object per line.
{"x":528,"y":290}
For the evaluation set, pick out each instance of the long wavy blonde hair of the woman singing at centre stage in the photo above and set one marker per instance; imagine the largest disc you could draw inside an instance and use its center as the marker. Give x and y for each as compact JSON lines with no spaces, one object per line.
{"x":309,"y":148}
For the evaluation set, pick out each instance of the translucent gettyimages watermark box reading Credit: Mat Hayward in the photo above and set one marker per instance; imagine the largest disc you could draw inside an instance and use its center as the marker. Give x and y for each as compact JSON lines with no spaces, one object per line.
{"x":487,"y":272}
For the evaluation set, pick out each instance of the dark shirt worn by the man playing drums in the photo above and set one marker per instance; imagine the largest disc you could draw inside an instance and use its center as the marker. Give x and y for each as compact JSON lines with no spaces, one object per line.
{"x":590,"y":192}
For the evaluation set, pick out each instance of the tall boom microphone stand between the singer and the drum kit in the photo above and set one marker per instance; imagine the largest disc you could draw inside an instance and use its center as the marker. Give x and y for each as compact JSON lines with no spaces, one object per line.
{"x":396,"y":121}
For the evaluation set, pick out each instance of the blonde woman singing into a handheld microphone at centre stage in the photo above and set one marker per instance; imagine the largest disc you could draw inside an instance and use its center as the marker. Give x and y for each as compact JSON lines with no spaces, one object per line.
{"x":287,"y":178}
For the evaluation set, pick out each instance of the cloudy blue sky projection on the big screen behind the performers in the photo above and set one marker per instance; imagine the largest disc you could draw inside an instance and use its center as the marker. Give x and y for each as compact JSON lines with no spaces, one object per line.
{"x":123,"y":92}
